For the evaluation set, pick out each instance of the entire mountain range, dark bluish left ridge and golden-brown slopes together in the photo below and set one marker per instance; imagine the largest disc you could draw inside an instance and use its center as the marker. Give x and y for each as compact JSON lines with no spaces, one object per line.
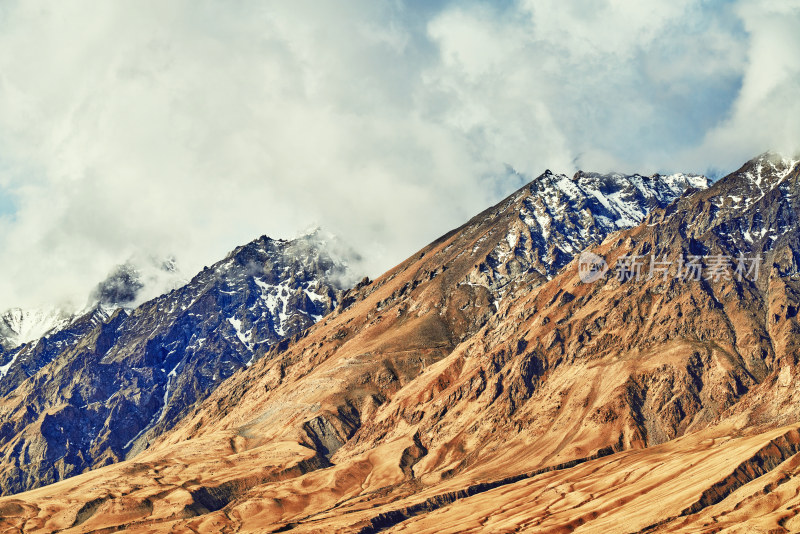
{"x":480,"y":385}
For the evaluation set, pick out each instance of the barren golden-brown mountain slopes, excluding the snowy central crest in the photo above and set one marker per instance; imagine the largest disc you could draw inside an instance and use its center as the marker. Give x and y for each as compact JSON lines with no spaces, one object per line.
{"x":422,"y":399}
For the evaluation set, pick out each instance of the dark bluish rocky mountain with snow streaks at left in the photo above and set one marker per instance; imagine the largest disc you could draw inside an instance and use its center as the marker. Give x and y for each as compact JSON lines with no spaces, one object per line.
{"x":125,"y":378}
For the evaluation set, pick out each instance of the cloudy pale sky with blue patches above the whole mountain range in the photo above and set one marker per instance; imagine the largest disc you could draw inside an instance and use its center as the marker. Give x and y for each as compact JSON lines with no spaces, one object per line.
{"x":185,"y":128}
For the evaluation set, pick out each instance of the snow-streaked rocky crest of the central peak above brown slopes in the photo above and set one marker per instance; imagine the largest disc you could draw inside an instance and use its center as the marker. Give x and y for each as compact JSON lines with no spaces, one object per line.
{"x":558,"y":216}
